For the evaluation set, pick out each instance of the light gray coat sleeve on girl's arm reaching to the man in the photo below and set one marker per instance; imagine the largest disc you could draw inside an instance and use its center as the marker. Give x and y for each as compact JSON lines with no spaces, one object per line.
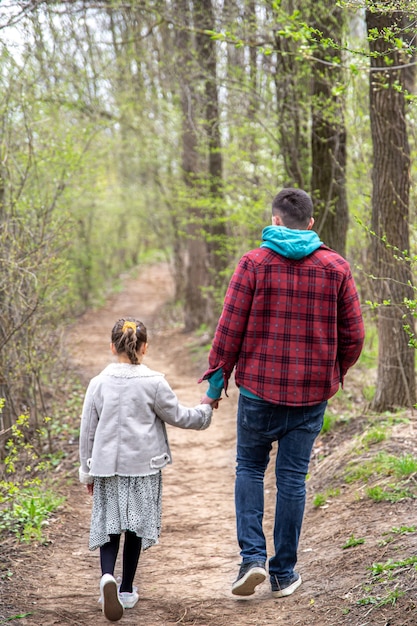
{"x":169,"y":410}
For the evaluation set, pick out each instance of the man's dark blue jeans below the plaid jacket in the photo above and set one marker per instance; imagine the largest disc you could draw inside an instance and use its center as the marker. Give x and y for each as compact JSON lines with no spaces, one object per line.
{"x":259,"y":424}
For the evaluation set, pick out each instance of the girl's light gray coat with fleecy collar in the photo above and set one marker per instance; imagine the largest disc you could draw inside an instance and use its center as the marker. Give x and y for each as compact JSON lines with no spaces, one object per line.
{"x":123,"y":422}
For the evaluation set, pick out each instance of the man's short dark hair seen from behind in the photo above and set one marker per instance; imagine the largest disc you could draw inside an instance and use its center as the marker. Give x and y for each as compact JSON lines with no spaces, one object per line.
{"x":294,"y":207}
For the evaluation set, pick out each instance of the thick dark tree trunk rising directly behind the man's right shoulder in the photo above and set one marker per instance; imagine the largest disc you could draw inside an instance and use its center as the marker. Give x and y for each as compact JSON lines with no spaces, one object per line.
{"x":328,"y":132}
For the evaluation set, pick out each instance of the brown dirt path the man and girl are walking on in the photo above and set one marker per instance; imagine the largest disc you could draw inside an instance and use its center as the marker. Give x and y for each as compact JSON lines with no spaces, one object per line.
{"x":186,"y":579}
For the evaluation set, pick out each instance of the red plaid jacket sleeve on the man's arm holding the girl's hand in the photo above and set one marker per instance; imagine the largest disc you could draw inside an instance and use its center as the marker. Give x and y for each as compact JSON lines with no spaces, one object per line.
{"x":232,"y":323}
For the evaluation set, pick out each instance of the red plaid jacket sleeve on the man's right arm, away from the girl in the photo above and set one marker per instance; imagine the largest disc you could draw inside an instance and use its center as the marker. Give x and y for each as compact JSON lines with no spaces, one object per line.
{"x":350,"y":326}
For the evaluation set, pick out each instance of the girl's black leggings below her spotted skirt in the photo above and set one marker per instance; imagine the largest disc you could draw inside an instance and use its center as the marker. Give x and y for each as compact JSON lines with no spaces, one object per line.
{"x":131,"y":552}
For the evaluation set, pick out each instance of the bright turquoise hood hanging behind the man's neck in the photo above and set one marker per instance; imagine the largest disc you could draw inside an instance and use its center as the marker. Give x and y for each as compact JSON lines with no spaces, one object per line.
{"x":289,"y":242}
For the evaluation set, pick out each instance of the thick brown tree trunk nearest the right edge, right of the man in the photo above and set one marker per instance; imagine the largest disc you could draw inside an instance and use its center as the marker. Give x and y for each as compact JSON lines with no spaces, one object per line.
{"x":390,"y":215}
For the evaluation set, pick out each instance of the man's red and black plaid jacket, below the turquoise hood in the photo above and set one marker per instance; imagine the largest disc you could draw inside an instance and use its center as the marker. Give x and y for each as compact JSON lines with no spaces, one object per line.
{"x":291,"y":328}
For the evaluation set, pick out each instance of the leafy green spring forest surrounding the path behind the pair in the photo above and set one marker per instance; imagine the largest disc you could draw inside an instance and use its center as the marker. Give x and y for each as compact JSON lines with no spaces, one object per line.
{"x":146,"y":130}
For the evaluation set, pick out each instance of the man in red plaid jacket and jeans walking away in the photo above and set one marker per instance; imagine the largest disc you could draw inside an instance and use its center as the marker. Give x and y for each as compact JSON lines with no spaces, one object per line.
{"x":292,"y":326}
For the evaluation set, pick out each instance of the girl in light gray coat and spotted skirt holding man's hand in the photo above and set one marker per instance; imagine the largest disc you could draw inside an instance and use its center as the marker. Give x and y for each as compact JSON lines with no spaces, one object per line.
{"x":123,"y":448}
